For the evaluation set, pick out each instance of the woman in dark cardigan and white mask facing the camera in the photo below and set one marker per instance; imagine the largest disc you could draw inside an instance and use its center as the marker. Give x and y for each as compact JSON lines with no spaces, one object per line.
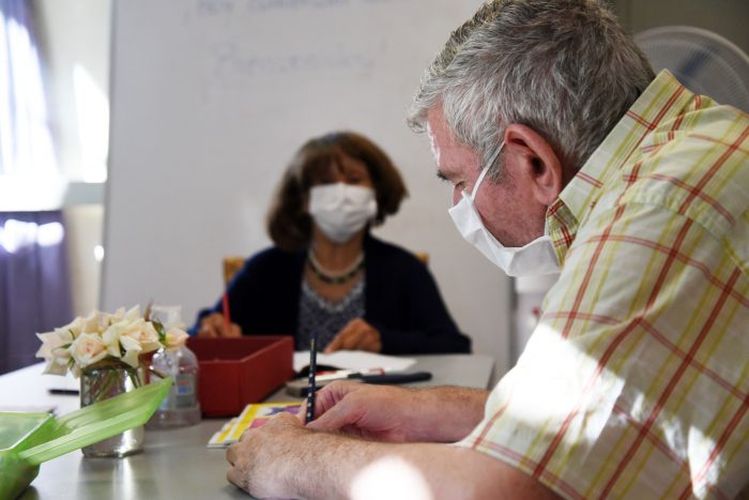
{"x":326,"y":273}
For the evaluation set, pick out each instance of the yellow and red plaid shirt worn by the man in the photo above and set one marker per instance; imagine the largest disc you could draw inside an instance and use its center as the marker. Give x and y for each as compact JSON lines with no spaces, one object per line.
{"x":635,"y":383}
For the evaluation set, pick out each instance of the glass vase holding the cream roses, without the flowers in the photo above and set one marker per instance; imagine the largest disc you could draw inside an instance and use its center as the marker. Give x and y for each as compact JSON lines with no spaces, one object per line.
{"x":105,"y":380}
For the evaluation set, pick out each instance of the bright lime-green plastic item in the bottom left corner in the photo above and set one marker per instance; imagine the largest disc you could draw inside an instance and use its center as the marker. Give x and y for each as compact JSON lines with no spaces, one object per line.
{"x":28,"y":439}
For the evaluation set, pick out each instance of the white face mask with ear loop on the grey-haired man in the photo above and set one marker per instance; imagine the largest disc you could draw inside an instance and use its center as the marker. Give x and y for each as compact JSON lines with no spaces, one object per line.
{"x":535,"y":258}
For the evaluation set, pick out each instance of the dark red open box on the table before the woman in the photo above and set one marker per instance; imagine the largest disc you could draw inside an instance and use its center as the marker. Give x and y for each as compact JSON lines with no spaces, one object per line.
{"x":237,"y":371}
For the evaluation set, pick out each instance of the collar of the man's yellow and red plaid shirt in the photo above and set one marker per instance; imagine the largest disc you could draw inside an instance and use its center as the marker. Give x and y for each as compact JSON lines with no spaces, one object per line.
{"x":661,"y":101}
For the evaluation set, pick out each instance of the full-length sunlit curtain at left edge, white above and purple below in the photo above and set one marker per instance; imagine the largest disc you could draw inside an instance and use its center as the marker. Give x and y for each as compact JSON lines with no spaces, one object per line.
{"x":34,"y":278}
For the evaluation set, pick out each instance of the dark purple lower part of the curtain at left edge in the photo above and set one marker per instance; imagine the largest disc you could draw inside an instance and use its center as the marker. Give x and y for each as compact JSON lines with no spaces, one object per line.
{"x":35,"y":293}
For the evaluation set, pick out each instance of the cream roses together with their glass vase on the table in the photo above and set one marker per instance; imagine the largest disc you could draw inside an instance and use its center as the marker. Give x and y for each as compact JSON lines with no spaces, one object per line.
{"x":106,"y":351}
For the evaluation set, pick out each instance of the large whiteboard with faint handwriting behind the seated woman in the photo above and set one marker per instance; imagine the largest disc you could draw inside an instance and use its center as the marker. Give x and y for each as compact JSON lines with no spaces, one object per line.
{"x":210,"y":99}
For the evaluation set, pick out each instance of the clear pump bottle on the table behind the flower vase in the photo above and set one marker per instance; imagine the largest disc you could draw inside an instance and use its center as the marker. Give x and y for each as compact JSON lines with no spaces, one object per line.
{"x":181,"y":407}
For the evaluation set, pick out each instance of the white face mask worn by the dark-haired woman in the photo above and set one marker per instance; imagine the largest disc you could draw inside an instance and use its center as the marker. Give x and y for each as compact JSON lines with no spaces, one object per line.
{"x":341,"y":210}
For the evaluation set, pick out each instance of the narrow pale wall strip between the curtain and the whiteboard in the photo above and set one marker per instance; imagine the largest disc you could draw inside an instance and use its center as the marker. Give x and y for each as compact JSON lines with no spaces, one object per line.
{"x":75,"y":37}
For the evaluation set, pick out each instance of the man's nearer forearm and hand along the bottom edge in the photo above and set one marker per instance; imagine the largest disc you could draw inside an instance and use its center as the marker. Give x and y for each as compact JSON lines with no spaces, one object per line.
{"x":335,"y":466}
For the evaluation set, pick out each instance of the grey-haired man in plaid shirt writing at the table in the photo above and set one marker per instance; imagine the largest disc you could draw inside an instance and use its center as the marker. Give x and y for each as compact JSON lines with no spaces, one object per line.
{"x":565,"y":153}
